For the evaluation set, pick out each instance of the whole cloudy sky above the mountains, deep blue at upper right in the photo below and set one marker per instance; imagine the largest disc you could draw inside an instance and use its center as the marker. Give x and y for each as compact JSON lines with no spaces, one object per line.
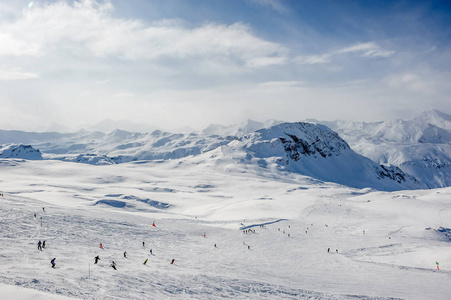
{"x":190,"y":63}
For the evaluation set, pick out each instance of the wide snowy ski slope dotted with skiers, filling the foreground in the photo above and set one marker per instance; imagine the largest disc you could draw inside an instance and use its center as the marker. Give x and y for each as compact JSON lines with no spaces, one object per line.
{"x":116,"y":205}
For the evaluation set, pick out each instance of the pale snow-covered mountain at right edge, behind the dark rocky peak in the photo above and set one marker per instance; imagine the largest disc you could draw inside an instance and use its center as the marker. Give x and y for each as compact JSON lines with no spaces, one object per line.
{"x":420,"y":146}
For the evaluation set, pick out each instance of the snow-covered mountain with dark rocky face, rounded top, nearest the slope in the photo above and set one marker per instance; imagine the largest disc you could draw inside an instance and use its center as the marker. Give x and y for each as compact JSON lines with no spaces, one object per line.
{"x":316,"y":151}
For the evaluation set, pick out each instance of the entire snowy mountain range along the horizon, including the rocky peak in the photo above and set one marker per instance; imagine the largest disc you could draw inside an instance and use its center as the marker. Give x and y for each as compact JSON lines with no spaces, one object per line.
{"x":382,"y":155}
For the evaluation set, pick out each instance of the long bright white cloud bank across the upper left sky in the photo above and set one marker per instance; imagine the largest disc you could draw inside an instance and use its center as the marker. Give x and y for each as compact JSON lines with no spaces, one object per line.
{"x":87,"y":28}
